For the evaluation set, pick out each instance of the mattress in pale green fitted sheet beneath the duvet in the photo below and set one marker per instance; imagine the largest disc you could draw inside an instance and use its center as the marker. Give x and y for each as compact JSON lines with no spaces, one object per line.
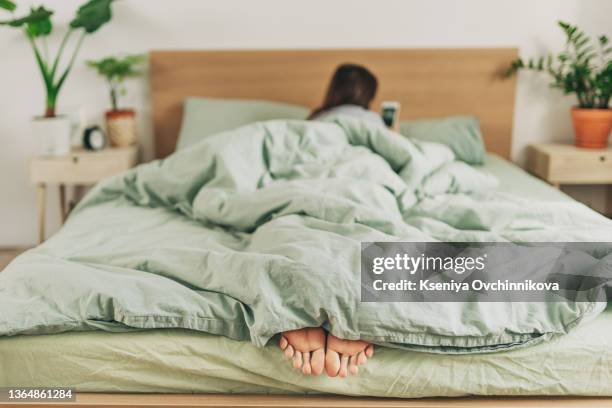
{"x":579,"y":363}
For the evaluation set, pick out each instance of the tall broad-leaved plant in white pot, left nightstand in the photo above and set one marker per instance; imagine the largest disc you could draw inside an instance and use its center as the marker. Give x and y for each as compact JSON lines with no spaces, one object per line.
{"x":52,"y":130}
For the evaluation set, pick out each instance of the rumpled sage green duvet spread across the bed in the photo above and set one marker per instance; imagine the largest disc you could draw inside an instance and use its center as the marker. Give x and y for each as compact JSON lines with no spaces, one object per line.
{"x":256,"y":231}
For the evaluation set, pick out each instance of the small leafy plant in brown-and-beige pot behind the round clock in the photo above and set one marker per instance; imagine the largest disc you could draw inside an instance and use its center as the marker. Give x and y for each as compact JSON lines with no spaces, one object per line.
{"x":120,"y":122}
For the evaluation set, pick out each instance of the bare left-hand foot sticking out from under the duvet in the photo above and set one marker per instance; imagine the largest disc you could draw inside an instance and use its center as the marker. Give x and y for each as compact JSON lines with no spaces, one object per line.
{"x":306,"y":347}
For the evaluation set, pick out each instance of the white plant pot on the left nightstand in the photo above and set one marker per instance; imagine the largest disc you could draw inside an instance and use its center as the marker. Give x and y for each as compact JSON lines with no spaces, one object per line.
{"x":52,"y":135}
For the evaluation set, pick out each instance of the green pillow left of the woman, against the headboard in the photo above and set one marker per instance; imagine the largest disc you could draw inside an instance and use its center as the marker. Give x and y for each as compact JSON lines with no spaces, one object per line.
{"x":203,"y":117}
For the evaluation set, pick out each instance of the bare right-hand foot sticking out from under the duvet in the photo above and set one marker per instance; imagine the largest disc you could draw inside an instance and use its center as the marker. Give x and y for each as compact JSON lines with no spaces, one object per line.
{"x":343,"y":357}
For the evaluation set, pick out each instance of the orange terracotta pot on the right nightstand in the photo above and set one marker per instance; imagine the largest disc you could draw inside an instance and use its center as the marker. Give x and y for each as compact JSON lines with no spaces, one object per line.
{"x":592,"y":127}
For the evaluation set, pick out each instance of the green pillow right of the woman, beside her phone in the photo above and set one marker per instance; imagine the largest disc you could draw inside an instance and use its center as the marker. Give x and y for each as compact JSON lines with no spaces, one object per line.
{"x":460,"y":133}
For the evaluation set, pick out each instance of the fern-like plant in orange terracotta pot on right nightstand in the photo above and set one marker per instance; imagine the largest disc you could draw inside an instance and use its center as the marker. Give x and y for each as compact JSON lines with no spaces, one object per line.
{"x":584,"y":69}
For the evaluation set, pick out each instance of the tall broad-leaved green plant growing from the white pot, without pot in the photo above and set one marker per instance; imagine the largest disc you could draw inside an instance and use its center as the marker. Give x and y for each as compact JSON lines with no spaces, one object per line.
{"x":38,"y":26}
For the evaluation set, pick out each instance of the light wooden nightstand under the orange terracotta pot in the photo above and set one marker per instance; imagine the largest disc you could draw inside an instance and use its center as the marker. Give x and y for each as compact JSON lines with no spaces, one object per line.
{"x":562,"y":164}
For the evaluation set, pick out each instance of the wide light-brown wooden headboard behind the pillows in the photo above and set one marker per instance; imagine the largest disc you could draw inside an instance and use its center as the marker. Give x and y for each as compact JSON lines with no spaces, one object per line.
{"x":427,"y":82}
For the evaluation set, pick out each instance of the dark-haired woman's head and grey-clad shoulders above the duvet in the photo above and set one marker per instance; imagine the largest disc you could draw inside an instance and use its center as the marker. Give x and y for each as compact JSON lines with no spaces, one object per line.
{"x":350,"y":92}
